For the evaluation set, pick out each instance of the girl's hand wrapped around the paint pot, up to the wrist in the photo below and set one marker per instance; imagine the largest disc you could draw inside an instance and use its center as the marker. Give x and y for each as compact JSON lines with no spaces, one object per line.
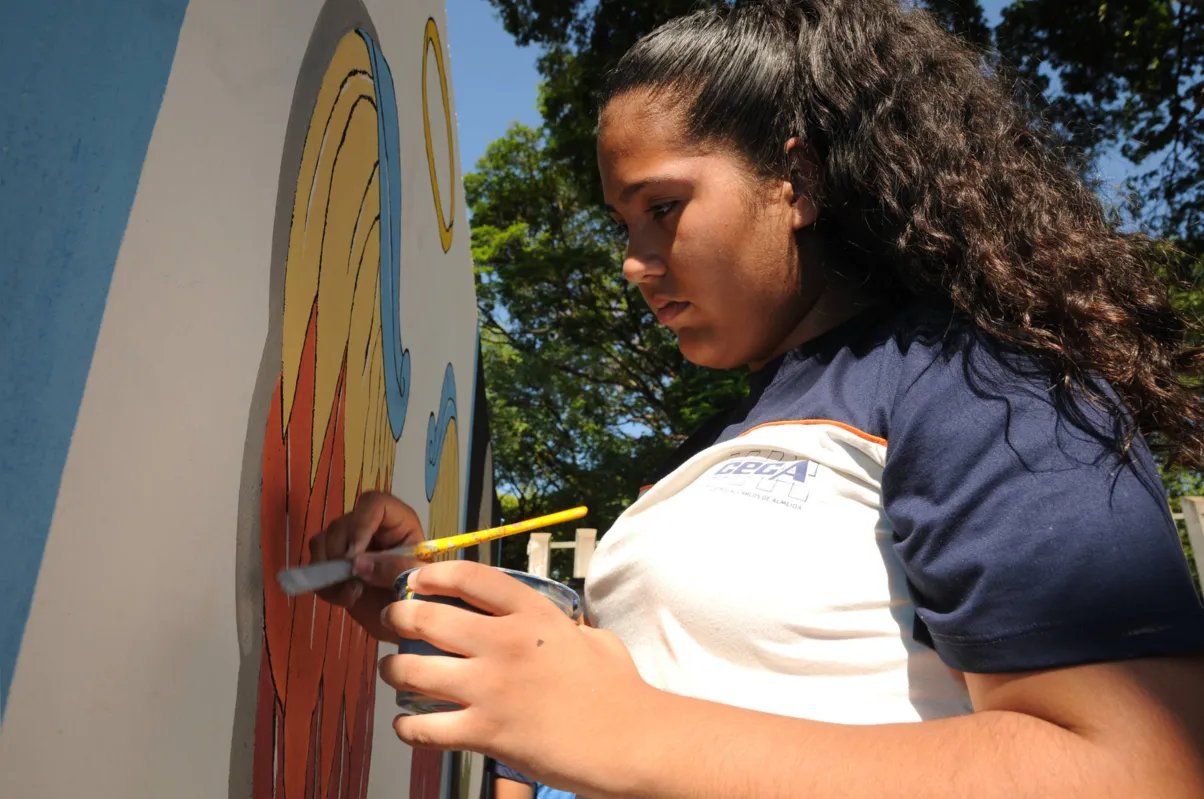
{"x":550,"y":699}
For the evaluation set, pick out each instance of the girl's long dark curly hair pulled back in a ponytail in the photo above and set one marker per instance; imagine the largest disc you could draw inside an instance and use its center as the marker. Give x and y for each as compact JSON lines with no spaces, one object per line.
{"x":943,"y":185}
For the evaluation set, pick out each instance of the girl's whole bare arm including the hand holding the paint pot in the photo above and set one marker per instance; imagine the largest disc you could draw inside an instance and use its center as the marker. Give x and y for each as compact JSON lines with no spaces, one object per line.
{"x":566,"y":706}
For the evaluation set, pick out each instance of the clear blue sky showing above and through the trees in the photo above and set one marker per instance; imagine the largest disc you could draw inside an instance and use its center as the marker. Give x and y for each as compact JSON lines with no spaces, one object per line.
{"x":497,"y":81}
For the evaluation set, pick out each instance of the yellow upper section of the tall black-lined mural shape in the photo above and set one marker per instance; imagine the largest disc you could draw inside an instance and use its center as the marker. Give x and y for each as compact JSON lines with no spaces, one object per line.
{"x":334,"y":259}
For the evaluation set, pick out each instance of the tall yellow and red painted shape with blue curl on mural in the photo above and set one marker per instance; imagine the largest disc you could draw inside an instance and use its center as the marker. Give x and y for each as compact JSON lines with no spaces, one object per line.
{"x":337,"y":415}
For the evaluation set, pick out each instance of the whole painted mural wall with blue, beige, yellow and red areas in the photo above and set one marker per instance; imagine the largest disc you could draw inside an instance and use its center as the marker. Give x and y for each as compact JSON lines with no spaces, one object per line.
{"x":246,"y":267}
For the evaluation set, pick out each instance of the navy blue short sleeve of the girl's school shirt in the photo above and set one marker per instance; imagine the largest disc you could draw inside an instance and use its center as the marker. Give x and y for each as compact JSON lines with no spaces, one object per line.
{"x":1026,"y":542}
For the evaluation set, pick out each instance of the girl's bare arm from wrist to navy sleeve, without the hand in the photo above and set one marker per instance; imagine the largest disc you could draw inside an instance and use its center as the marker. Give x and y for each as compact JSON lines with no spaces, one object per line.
{"x":1118,"y":730}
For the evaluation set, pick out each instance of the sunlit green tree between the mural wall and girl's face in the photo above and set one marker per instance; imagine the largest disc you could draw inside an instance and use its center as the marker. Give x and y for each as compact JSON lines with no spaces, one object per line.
{"x":588,"y":393}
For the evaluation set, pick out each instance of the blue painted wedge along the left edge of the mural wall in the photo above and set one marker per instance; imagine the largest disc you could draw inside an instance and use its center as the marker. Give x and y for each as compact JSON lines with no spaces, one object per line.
{"x":81,"y":84}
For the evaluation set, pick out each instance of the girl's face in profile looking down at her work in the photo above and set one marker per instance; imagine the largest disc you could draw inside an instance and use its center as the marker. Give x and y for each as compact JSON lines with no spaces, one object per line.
{"x":712,"y":246}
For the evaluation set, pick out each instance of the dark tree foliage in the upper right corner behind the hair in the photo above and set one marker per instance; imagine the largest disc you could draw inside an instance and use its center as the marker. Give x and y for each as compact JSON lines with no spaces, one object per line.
{"x":1126,"y":74}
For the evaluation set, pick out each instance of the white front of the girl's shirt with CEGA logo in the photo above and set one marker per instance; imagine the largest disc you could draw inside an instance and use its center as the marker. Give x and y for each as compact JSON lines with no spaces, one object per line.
{"x":760,"y":575}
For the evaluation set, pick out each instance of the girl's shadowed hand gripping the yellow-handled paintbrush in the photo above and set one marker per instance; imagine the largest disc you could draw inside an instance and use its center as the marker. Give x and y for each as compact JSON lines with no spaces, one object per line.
{"x":379,"y":522}
